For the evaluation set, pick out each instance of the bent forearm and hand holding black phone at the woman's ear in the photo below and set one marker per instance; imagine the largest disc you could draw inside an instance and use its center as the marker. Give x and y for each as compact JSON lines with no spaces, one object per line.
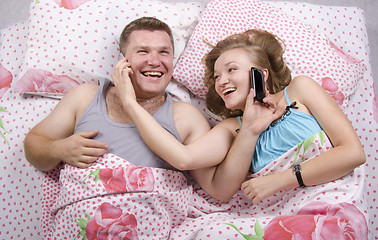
{"x":224,"y":180}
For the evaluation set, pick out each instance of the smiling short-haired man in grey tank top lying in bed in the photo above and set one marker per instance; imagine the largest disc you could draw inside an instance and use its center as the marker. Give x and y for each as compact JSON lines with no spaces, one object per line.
{"x":90,"y":120}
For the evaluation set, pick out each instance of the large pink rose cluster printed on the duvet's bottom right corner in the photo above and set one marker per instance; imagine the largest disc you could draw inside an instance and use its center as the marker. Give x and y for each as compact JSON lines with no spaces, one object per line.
{"x":319,"y":221}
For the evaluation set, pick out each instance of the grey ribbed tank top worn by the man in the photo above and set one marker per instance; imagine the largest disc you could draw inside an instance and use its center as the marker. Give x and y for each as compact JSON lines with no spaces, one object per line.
{"x":124,"y":140}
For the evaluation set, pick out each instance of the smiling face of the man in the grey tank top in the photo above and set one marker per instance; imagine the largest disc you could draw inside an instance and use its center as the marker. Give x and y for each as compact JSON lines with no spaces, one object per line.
{"x":150,"y":54}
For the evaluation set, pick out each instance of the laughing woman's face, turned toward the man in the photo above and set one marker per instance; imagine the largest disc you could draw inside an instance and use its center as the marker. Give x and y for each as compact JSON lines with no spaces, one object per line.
{"x":232,"y":77}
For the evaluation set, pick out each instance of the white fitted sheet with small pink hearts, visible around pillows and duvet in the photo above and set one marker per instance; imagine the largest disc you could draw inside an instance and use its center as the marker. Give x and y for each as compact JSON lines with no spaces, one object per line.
{"x":21,"y":183}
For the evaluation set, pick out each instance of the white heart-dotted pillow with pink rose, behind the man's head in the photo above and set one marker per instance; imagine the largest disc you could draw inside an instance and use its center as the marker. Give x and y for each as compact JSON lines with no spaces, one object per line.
{"x":73,"y":42}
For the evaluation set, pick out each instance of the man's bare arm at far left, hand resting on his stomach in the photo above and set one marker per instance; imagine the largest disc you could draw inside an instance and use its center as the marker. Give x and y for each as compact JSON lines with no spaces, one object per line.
{"x":53,"y":141}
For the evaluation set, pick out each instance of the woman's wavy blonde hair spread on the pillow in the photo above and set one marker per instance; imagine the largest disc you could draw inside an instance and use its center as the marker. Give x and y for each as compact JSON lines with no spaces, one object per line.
{"x":265,"y":51}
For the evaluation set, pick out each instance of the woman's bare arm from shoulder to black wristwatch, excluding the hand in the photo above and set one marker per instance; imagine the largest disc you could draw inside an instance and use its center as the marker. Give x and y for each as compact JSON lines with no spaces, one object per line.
{"x":347,"y":153}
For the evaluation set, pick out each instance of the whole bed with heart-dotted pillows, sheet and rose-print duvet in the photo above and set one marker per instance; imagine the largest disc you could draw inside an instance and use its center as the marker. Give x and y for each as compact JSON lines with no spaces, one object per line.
{"x":66,"y":43}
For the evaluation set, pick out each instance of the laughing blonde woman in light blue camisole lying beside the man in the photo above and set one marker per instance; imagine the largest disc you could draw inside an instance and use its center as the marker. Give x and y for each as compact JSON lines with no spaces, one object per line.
{"x":257,"y":133}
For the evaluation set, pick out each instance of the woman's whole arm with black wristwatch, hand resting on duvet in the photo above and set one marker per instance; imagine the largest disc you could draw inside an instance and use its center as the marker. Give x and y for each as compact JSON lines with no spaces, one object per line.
{"x":346,"y":155}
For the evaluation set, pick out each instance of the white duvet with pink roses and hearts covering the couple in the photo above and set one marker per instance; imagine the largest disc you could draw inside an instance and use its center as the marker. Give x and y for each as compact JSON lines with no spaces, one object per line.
{"x":113,"y":199}
